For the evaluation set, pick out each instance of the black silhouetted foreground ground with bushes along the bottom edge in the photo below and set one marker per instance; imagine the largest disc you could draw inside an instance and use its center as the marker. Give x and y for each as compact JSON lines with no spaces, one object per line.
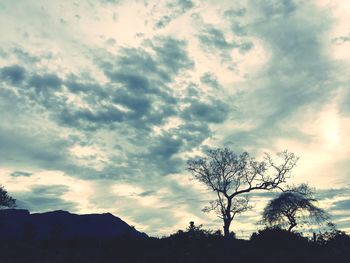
{"x":265,"y":246}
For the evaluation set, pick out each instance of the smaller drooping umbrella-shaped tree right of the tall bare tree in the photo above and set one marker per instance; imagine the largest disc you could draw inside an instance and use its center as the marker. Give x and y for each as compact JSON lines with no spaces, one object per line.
{"x":293,"y":205}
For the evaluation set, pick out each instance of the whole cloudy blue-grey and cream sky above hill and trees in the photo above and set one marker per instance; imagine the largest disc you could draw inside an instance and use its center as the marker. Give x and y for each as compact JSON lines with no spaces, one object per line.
{"x":103,"y":101}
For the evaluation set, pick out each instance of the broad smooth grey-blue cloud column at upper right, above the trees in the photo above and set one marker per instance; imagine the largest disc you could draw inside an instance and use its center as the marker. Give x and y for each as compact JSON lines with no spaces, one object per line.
{"x":295,"y":77}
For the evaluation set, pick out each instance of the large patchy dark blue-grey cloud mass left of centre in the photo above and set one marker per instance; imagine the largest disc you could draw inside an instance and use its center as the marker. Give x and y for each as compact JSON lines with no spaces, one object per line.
{"x":138,"y":93}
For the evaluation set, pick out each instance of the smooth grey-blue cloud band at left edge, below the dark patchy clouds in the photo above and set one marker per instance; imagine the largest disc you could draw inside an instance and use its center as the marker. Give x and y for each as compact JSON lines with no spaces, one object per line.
{"x":36,"y":149}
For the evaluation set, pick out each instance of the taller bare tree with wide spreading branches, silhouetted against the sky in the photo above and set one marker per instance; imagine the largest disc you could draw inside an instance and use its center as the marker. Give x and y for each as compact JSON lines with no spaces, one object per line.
{"x":232,"y":176}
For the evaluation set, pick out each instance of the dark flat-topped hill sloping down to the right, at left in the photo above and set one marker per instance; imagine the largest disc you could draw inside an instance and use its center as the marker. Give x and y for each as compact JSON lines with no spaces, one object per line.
{"x":16,"y":224}
